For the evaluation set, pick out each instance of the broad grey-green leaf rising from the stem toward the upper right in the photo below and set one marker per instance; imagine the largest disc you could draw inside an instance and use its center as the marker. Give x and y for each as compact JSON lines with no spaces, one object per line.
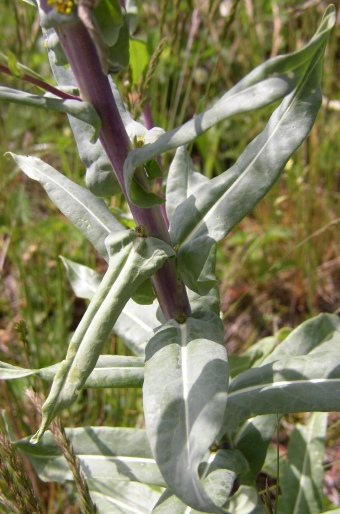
{"x":213,"y":210}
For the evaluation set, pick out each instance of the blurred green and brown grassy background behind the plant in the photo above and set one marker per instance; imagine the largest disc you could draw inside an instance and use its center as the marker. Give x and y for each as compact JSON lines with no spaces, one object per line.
{"x":280,"y":267}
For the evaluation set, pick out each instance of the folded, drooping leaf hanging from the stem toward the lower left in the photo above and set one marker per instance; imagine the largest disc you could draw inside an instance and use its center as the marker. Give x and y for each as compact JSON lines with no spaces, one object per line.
{"x":132,"y":260}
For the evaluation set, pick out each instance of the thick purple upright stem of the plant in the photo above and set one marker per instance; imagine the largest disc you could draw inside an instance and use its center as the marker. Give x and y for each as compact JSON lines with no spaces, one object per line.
{"x":95,"y":88}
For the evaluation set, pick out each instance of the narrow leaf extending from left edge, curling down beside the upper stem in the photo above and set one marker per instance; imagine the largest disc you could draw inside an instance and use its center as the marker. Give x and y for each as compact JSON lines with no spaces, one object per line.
{"x":79,"y":109}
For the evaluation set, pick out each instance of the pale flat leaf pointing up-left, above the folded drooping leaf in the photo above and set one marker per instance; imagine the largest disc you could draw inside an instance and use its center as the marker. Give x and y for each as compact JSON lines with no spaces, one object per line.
{"x":88,"y":213}
